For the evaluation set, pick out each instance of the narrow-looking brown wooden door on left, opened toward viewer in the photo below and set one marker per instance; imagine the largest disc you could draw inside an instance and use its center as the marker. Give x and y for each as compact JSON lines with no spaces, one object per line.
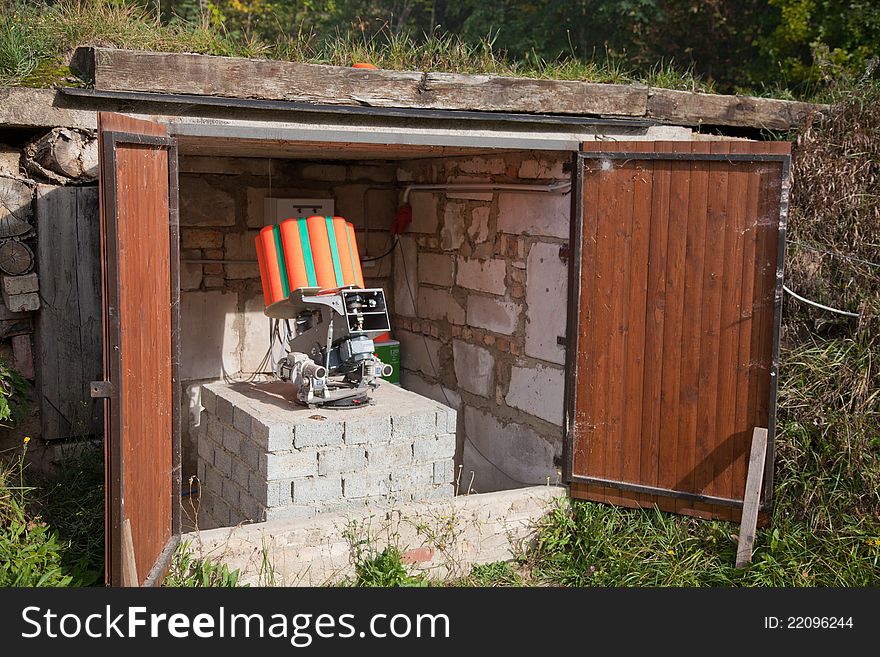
{"x":139,"y":243}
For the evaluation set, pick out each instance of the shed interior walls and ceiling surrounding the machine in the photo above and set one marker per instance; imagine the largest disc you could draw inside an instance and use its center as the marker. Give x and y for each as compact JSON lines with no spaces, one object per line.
{"x":476,"y":283}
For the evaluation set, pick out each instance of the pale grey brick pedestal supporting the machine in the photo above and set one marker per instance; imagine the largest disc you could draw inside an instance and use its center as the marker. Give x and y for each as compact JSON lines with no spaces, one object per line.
{"x":263,"y":457}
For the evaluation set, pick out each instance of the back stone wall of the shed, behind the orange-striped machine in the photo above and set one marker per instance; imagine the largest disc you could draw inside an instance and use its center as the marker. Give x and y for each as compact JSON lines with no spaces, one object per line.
{"x":224,"y":334}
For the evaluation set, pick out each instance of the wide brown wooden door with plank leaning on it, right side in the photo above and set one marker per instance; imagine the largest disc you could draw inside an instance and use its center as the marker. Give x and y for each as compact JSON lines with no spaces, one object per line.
{"x":674,"y":316}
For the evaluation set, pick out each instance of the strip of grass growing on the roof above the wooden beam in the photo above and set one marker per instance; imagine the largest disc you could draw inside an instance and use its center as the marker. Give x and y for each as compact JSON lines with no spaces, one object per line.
{"x":36,"y":41}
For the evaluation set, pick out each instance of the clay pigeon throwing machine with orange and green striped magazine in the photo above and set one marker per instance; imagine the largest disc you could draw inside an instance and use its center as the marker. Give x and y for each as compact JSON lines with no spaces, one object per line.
{"x":322,"y":314}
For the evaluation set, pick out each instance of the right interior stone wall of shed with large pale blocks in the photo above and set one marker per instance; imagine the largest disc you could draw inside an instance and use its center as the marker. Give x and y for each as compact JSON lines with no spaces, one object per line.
{"x":480,"y":310}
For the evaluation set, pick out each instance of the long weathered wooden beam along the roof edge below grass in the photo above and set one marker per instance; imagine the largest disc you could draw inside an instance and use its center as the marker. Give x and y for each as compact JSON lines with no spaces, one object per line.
{"x":127,"y":70}
